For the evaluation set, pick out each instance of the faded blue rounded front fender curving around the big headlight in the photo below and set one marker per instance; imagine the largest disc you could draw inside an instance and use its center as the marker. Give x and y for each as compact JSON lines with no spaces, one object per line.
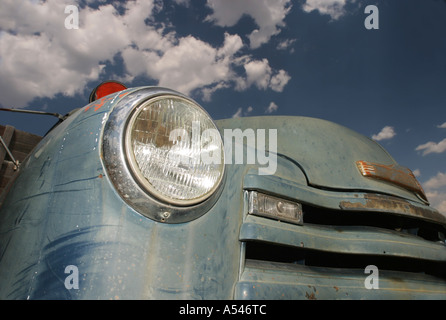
{"x":63,"y":210}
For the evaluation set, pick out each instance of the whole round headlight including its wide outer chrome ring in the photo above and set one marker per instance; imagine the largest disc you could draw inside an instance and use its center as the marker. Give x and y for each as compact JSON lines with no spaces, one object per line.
{"x":152,"y":166}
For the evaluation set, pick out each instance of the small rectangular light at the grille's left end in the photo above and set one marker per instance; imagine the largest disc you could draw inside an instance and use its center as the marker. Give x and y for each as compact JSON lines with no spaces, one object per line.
{"x":261,"y":204}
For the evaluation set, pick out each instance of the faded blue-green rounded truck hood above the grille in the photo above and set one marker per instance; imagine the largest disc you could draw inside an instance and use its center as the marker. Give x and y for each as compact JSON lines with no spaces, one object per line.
{"x":327,"y":153}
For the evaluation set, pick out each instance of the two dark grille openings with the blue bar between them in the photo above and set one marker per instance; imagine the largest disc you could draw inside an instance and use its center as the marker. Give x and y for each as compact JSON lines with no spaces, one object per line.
{"x":401,"y":247}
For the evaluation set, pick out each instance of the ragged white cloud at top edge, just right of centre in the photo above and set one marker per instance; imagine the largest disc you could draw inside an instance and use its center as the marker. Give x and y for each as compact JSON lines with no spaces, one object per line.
{"x":269,"y":16}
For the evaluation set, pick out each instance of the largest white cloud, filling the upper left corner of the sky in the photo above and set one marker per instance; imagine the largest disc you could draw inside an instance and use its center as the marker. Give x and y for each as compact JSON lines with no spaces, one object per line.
{"x":41,"y":58}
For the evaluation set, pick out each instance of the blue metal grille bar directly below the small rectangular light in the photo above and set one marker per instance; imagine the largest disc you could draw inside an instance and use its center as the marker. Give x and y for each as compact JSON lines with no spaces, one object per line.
{"x":352,"y":240}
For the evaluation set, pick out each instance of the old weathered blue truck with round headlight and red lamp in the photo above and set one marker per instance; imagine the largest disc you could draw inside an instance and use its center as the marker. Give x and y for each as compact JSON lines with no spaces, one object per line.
{"x":141,"y":195}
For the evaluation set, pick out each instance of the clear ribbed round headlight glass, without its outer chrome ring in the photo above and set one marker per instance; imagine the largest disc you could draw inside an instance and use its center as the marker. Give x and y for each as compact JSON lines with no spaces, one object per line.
{"x":174,"y":150}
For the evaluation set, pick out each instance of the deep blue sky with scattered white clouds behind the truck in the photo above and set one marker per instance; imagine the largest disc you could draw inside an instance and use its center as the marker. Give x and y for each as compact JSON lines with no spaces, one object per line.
{"x":378,"y":70}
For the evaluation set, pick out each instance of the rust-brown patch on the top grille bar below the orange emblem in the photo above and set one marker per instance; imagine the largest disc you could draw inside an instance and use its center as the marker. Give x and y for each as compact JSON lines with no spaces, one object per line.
{"x":376,"y":202}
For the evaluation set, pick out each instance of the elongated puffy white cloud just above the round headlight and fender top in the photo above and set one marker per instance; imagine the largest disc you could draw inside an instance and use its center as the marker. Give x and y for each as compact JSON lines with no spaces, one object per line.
{"x":192,"y":64}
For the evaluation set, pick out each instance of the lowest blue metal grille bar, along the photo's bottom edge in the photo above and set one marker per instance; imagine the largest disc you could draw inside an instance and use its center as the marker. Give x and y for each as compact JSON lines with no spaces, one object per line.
{"x":266,"y":280}
